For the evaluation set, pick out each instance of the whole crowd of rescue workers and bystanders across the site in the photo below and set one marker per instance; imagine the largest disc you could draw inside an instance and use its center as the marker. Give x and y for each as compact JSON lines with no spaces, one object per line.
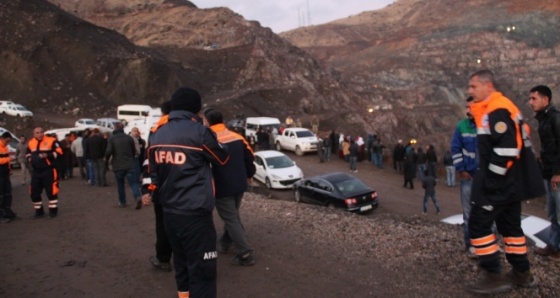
{"x":207,"y":166}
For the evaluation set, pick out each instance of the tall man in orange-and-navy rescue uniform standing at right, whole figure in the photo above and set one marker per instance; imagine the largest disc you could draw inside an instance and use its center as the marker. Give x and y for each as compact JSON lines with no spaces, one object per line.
{"x":507,"y":174}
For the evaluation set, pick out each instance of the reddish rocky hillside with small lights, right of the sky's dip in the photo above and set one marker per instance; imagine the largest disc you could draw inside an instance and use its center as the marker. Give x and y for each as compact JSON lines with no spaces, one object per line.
{"x":416,"y":55}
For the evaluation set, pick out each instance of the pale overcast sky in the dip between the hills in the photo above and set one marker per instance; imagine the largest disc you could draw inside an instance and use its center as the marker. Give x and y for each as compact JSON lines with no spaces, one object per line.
{"x":284,"y":15}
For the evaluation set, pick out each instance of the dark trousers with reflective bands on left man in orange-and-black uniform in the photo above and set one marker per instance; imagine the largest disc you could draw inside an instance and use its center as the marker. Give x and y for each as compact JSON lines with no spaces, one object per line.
{"x":44,"y":180}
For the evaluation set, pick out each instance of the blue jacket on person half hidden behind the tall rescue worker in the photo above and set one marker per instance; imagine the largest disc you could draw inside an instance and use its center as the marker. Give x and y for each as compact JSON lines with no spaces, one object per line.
{"x":463,"y":147}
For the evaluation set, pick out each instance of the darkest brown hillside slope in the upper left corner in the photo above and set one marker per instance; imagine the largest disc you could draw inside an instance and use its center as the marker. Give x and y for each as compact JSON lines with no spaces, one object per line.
{"x":55,"y":62}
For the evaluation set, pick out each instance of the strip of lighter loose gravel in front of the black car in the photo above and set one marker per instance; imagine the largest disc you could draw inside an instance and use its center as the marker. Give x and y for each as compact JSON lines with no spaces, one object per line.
{"x":431,"y":252}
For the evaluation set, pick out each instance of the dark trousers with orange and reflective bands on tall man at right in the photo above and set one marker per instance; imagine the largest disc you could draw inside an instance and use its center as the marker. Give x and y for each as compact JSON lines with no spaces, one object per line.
{"x":508,"y":222}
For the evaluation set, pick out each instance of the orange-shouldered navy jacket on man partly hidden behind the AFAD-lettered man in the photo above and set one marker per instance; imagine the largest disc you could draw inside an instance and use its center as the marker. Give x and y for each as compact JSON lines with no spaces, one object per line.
{"x":231,"y":179}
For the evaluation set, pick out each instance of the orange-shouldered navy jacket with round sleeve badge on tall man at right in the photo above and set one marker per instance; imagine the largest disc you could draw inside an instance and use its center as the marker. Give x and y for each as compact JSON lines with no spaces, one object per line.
{"x":508,"y":171}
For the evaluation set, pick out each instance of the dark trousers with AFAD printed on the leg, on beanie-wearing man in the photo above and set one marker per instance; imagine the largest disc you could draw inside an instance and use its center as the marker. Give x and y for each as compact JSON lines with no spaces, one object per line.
{"x":193,"y":238}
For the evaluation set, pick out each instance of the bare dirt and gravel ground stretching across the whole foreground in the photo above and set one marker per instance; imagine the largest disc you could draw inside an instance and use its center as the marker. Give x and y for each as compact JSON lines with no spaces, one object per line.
{"x":95,"y":249}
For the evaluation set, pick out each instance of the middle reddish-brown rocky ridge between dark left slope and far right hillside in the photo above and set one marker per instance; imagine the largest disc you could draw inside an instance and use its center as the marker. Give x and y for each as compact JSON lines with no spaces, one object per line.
{"x":240,"y":66}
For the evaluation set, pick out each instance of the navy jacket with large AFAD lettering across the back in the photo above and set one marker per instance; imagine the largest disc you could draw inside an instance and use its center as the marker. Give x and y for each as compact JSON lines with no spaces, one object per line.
{"x":180,"y":155}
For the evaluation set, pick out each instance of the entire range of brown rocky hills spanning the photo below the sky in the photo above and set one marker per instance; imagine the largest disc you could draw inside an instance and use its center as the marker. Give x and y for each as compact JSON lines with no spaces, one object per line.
{"x":400,"y":72}
